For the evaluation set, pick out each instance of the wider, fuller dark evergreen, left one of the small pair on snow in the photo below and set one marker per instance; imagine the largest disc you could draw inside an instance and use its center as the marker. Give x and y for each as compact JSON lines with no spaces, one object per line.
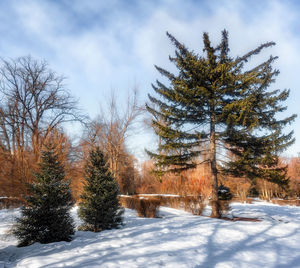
{"x":46,"y":217}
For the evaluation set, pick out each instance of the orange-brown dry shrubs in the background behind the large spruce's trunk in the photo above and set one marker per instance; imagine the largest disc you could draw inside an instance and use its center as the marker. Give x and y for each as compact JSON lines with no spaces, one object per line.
{"x":195,"y":182}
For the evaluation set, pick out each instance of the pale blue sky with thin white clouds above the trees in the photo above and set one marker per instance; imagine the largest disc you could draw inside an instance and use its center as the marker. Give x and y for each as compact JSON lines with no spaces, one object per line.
{"x":101,"y":46}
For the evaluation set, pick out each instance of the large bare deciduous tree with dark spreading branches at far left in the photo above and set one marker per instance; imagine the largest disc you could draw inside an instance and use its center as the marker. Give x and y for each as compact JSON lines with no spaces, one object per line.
{"x":34,"y":101}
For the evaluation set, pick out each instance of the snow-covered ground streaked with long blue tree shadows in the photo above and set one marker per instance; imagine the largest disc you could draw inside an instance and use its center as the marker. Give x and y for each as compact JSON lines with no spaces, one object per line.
{"x":177,"y":239}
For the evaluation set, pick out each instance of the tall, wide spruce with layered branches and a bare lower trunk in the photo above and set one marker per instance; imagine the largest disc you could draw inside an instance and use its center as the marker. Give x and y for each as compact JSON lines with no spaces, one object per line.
{"x":215,"y":99}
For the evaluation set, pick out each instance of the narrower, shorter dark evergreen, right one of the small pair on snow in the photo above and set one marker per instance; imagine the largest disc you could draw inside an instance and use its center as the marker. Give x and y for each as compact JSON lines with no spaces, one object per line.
{"x":99,"y":208}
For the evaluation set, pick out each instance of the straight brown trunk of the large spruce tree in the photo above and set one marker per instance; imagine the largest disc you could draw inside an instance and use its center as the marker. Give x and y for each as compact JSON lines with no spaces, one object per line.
{"x":215,"y":213}
